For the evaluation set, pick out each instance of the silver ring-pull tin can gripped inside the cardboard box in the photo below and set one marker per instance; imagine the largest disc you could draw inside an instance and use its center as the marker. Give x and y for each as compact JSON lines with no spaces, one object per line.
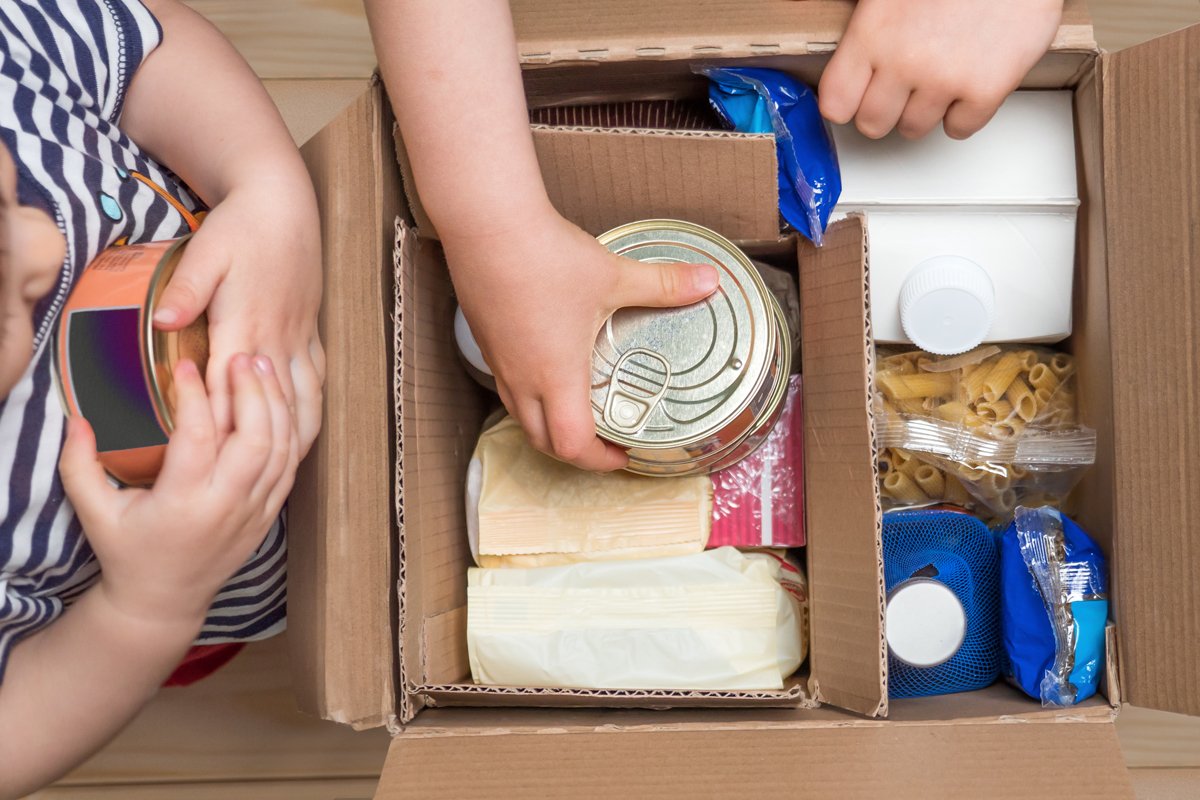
{"x":697,"y":389}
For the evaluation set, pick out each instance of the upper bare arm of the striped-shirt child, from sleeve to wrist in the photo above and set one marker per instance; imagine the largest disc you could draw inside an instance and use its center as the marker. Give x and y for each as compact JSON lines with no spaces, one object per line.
{"x":196,"y":107}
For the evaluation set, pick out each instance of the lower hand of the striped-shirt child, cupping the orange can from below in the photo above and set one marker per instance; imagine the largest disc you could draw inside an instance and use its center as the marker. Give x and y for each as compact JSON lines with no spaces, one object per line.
{"x":166,"y":552}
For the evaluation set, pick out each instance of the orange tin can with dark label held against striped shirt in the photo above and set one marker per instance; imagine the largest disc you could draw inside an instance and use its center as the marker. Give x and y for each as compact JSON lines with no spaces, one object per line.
{"x":115,"y":369}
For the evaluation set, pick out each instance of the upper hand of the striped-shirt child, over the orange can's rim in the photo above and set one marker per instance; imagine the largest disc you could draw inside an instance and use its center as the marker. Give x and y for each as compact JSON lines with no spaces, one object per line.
{"x":255,"y":266}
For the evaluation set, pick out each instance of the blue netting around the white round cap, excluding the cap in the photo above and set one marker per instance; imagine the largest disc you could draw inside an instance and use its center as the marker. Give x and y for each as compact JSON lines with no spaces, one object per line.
{"x":958,"y":551}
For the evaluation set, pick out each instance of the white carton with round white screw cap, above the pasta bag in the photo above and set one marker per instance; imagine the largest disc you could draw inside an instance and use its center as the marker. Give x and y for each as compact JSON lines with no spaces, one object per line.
{"x":970,"y":242}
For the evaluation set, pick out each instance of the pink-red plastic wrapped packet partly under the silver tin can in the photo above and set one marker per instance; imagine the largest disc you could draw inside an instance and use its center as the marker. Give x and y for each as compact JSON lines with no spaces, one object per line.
{"x":760,"y":501}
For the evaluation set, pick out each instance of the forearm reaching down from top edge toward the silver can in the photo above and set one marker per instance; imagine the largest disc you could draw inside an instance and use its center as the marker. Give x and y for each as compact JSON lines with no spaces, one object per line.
{"x":455,"y":83}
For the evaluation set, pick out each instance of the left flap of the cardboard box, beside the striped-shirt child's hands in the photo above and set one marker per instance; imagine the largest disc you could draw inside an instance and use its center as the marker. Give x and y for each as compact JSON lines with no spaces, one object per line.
{"x":340,"y":520}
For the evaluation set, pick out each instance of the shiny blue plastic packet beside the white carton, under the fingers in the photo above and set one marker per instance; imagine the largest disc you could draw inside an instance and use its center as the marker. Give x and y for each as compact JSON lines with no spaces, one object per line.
{"x":753,"y":100}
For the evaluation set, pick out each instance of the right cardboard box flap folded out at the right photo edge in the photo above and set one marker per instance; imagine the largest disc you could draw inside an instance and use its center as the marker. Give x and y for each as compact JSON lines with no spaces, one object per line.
{"x":1151,"y":112}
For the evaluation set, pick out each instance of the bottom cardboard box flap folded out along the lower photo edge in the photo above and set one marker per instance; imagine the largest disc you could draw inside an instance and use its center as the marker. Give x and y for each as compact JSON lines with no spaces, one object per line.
{"x":844,"y":762}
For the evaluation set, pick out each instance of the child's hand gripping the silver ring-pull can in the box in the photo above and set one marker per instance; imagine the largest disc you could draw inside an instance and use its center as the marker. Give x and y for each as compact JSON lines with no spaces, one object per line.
{"x":536,"y":300}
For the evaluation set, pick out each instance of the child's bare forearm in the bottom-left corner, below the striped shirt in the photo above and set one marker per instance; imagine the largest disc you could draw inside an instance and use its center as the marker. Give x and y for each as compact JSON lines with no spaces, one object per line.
{"x":73,"y":687}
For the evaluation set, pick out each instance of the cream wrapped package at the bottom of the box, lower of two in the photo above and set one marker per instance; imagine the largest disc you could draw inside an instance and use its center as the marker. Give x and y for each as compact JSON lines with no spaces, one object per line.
{"x":716,"y":621}
